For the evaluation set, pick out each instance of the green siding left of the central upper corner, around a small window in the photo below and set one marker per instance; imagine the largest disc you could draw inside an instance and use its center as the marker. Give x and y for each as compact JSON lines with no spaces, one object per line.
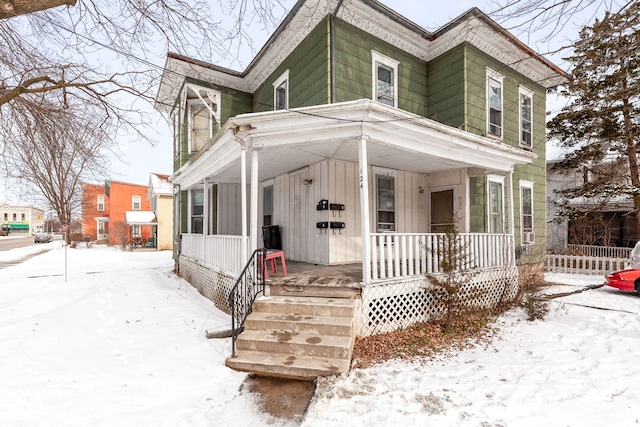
{"x":308,"y":67}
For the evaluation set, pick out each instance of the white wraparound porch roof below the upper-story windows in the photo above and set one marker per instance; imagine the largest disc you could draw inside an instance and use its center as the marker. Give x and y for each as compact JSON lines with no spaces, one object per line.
{"x":291,"y":139}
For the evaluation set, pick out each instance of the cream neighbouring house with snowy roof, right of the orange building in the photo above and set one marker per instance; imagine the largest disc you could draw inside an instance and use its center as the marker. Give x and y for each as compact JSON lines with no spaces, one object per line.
{"x":160,"y":196}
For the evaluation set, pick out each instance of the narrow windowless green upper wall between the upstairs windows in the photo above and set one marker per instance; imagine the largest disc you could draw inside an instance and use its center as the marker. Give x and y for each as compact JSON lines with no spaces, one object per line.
{"x":446,"y":88}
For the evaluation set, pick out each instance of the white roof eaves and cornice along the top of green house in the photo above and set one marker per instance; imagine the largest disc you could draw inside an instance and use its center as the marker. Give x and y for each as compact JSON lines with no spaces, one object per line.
{"x":473,"y":27}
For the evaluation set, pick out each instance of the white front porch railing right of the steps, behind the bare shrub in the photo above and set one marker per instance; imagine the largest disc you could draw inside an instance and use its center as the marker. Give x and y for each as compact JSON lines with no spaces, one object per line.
{"x":397,"y":255}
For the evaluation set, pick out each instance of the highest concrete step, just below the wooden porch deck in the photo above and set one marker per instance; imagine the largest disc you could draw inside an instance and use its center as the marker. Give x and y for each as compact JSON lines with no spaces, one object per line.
{"x":313,"y":306}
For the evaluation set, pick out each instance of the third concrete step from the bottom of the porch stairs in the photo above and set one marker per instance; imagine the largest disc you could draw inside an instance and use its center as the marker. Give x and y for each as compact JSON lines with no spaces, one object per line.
{"x":302,"y":324}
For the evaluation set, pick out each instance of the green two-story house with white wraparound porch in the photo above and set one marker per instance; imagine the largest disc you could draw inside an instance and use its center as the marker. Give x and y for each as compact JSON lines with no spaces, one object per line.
{"x":360,"y":135}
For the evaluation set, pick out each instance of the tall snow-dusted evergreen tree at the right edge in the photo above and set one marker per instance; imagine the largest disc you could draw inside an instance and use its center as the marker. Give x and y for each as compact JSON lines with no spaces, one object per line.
{"x":601,"y":125}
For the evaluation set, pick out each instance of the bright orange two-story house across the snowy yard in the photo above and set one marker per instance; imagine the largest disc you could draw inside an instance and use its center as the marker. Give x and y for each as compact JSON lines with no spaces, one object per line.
{"x":115,"y":207}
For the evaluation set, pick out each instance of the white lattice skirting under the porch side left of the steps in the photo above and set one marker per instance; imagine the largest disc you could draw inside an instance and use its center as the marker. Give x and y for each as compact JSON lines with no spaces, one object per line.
{"x":212,"y":284}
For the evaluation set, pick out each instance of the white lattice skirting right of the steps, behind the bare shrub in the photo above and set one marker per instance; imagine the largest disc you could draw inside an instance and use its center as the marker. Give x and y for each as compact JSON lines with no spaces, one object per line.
{"x":391,"y":306}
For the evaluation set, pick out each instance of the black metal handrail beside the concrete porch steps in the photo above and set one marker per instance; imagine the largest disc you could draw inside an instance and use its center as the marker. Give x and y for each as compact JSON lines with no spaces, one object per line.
{"x":249,"y":285}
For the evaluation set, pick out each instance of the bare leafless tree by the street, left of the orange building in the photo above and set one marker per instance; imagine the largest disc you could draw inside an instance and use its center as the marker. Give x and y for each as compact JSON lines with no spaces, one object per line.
{"x":54,"y":149}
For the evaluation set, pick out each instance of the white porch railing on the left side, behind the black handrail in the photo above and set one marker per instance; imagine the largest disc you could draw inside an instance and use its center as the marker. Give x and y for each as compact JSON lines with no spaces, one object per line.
{"x":218,"y":251}
